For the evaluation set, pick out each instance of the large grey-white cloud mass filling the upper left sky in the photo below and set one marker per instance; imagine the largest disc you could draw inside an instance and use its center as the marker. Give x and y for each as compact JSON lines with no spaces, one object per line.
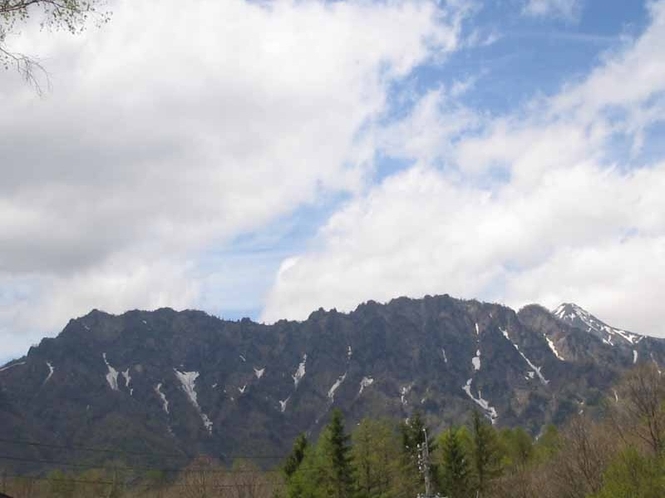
{"x":173,"y":128}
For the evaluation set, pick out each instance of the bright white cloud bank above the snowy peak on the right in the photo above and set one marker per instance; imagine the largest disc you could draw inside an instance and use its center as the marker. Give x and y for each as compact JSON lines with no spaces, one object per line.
{"x":566,"y":220}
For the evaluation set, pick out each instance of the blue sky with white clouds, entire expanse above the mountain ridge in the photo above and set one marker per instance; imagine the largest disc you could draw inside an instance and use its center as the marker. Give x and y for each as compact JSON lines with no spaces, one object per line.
{"x":268,"y":158}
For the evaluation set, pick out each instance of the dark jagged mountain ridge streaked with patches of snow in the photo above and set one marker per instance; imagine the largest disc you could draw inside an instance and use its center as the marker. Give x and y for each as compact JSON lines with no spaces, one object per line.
{"x":187,"y":382}
